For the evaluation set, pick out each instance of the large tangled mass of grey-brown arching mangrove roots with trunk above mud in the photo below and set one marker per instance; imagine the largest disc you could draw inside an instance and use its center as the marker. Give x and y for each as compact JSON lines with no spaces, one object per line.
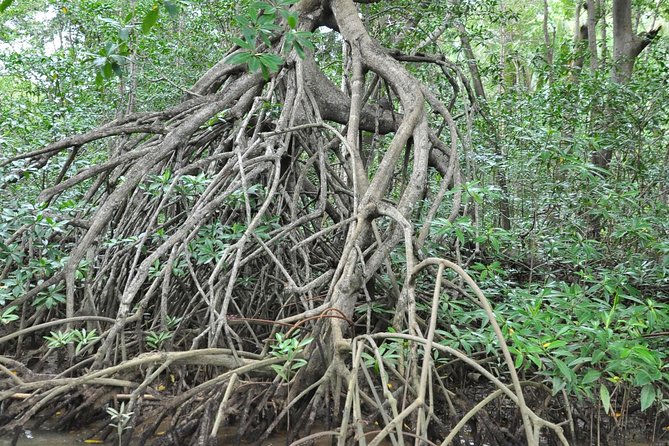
{"x":238,"y":233}
